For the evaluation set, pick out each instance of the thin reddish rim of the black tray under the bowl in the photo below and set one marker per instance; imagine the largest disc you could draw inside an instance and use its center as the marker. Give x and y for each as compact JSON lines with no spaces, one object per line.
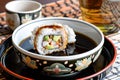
{"x":83,"y":78}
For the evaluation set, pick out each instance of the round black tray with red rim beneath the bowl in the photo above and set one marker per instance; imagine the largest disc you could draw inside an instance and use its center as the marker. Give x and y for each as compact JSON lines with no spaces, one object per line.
{"x":14,"y":69}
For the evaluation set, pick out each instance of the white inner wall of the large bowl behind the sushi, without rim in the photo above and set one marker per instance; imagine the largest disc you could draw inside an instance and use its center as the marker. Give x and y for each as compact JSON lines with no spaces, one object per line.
{"x":78,"y":26}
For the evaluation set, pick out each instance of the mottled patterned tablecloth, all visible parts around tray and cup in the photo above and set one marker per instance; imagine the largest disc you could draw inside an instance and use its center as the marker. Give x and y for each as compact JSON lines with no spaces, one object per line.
{"x":68,"y":8}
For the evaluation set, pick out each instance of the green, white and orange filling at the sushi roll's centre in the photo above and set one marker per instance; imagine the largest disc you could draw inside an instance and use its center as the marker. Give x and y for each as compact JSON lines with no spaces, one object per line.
{"x":52,"y":42}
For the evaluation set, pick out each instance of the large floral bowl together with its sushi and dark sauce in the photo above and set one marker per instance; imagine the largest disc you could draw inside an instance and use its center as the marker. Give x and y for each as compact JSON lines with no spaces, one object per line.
{"x":57,"y":46}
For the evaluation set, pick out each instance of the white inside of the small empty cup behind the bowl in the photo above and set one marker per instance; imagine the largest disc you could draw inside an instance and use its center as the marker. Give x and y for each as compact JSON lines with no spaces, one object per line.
{"x":23,"y":6}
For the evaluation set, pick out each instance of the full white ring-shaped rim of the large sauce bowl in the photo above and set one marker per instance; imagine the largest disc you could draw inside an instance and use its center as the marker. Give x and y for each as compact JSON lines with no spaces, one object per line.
{"x":58,"y":58}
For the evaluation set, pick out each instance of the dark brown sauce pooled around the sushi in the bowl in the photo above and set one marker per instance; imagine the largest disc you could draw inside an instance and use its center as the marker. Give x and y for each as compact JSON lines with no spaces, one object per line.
{"x":82,"y":44}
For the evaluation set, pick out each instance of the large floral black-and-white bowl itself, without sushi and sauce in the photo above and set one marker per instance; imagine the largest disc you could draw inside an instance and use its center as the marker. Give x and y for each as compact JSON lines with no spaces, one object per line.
{"x":58,"y":65}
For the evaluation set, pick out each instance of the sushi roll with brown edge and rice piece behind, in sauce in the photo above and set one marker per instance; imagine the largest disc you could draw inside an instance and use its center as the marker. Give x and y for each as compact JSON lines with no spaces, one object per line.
{"x":52,"y":38}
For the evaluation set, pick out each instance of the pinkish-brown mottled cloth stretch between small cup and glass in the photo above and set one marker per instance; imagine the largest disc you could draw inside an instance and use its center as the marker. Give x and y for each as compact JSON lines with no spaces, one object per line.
{"x":62,"y":8}
